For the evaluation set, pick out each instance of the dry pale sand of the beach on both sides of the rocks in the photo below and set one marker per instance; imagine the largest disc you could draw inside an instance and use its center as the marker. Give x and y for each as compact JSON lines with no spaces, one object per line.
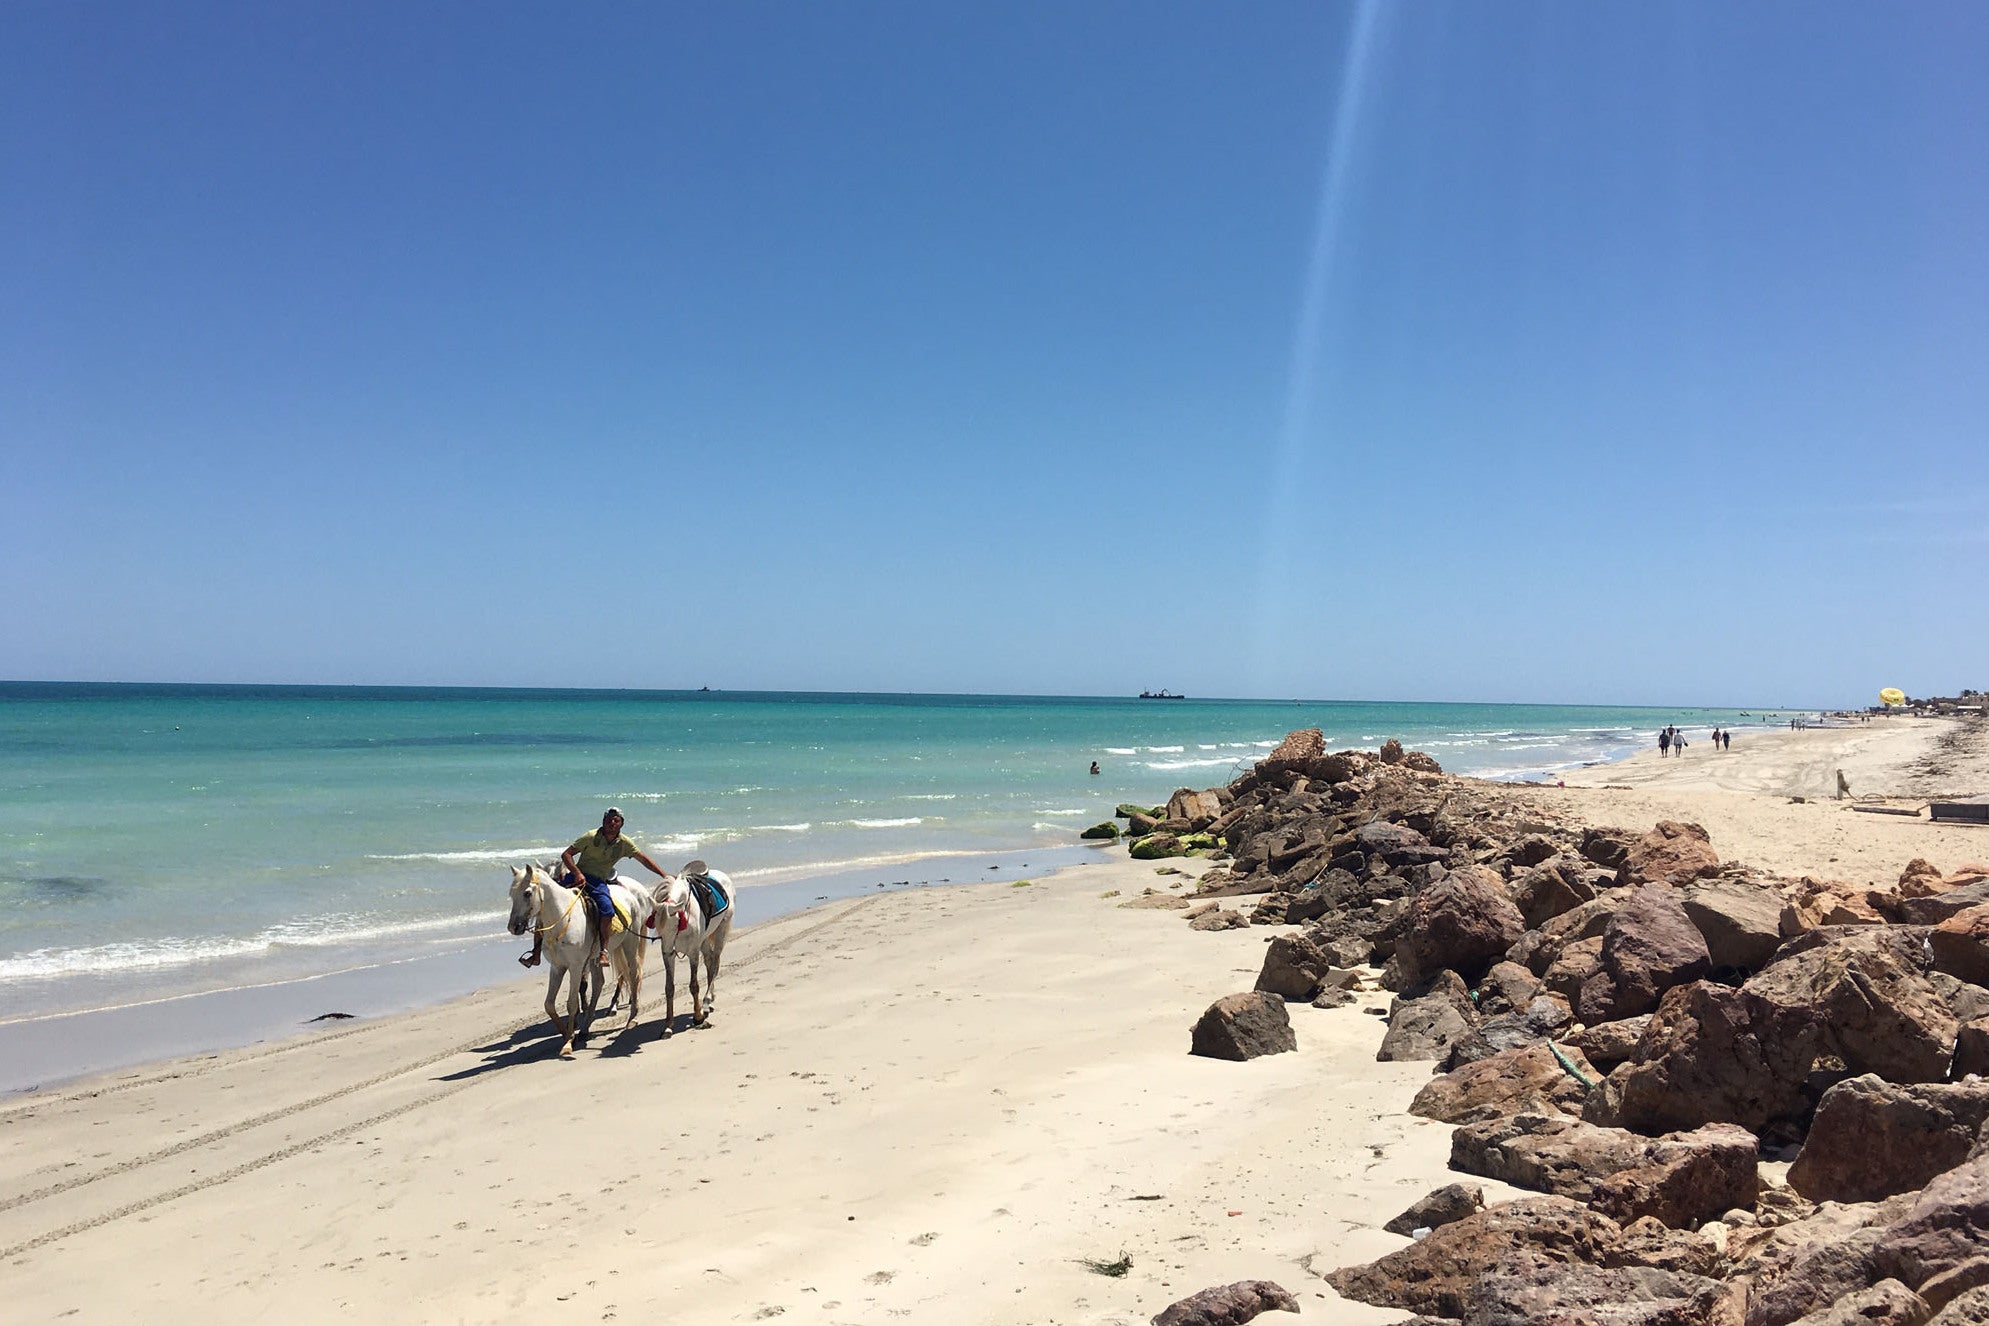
{"x":916,"y":1106}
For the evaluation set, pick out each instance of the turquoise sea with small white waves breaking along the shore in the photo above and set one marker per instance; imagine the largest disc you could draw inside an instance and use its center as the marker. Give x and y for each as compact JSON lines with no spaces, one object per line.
{"x":160,"y":840}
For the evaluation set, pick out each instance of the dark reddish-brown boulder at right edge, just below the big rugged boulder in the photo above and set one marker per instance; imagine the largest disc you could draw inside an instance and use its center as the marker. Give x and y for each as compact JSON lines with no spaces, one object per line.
{"x":1875,"y":1138}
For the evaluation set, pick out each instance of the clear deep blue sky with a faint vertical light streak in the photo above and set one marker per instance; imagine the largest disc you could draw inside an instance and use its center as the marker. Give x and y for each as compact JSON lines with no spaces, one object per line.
{"x":1542,"y":353}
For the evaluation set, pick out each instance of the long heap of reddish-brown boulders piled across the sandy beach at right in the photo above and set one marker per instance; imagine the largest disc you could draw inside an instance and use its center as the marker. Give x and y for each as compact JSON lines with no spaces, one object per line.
{"x":1630,"y":1027}
